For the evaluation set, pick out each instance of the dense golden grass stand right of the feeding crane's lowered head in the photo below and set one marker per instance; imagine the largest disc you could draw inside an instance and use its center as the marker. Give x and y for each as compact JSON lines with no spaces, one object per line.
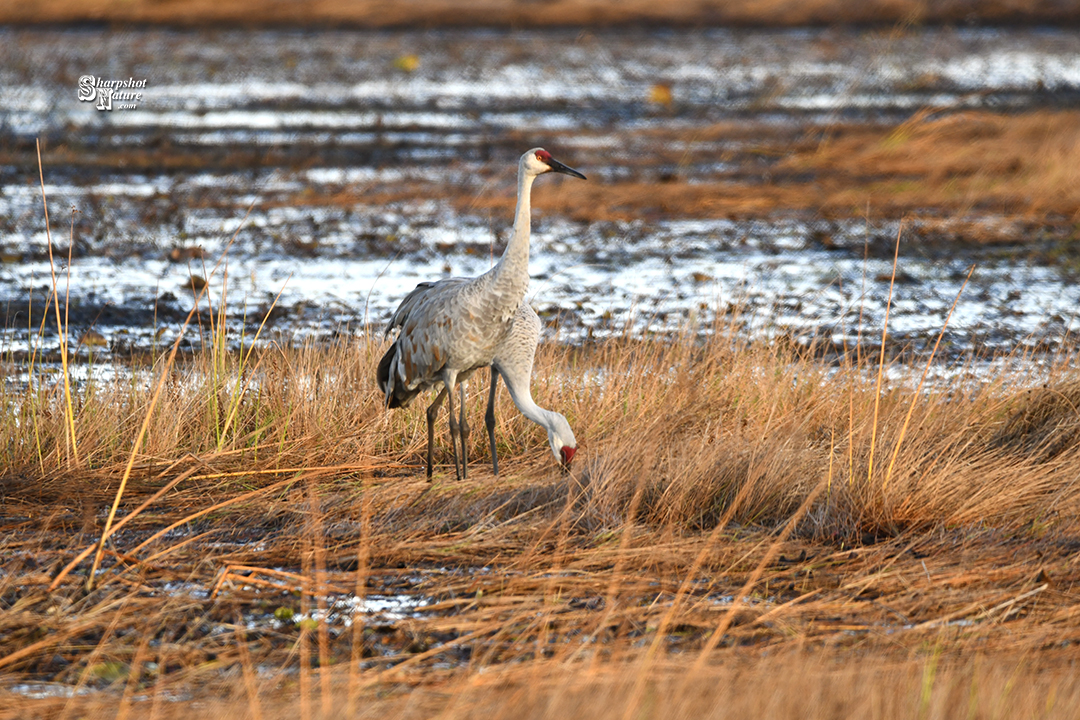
{"x":690,"y":438}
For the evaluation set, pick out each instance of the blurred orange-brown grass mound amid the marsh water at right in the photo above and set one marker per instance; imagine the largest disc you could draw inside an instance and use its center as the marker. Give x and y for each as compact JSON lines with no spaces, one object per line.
{"x":1027,"y":164}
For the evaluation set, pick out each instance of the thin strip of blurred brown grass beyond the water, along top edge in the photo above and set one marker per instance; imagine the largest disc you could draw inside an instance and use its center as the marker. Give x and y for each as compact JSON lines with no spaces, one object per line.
{"x":376,"y":13}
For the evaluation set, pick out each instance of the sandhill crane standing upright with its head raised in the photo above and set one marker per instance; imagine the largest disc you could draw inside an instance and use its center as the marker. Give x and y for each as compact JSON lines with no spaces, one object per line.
{"x":452,"y":328}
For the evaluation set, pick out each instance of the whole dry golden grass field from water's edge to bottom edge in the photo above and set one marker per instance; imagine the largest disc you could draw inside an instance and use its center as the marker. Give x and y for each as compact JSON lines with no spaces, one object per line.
{"x":890,"y":578}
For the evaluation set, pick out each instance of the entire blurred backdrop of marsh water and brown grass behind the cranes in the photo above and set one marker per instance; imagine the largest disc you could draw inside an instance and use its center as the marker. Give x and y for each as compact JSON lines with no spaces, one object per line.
{"x":759,"y":158}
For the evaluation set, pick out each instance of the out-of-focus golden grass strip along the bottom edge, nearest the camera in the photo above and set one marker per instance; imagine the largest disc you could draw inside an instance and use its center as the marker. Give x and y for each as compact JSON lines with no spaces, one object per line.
{"x":790,"y":686}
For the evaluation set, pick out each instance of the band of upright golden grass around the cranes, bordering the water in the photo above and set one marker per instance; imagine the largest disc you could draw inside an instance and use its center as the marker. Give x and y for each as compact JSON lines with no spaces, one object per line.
{"x":686,"y":432}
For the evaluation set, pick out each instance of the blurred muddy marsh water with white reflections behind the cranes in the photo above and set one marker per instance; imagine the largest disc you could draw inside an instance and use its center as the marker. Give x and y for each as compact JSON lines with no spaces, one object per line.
{"x":271,"y":142}
